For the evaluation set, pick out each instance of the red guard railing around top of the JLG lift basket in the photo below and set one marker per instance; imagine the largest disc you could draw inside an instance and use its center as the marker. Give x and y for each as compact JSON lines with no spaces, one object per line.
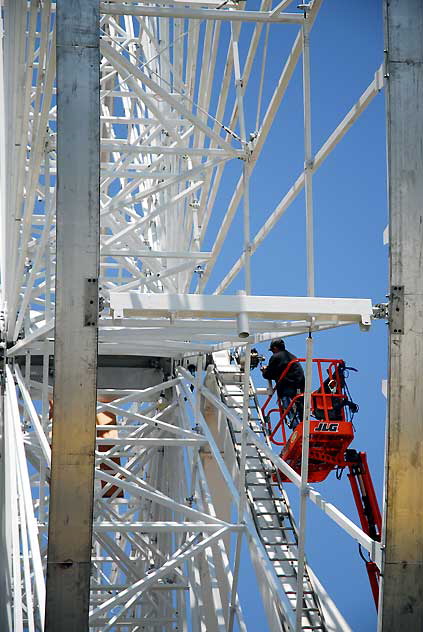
{"x":322,"y":400}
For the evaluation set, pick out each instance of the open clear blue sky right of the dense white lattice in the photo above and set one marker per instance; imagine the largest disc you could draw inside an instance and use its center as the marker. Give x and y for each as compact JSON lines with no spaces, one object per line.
{"x":350,"y":213}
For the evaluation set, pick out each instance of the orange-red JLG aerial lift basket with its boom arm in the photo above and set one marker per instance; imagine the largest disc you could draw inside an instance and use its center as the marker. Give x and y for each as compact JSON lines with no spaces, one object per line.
{"x":331,"y":432}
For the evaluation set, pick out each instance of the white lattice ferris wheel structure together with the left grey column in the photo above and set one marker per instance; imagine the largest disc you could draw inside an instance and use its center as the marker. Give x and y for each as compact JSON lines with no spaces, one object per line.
{"x":131,"y":133}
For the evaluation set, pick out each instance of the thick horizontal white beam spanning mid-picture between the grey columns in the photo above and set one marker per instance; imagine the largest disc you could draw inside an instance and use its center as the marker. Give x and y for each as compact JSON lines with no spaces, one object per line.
{"x":135,"y":303}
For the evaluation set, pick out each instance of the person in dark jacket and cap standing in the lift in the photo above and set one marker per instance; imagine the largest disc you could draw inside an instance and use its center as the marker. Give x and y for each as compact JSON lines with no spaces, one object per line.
{"x":292,"y":384}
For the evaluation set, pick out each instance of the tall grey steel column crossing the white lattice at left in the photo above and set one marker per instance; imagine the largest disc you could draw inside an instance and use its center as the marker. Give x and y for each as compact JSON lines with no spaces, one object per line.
{"x":78,"y":150}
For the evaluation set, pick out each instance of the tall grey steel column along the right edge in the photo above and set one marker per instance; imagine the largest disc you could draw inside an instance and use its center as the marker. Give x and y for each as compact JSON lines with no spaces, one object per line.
{"x":402,"y":596}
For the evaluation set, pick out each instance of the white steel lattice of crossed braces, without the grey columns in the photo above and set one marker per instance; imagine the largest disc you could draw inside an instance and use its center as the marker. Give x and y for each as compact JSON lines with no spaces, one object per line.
{"x":173,"y":88}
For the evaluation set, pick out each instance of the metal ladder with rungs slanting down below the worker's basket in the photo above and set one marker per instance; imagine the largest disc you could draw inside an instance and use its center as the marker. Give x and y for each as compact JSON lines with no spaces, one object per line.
{"x":267,"y":500}
